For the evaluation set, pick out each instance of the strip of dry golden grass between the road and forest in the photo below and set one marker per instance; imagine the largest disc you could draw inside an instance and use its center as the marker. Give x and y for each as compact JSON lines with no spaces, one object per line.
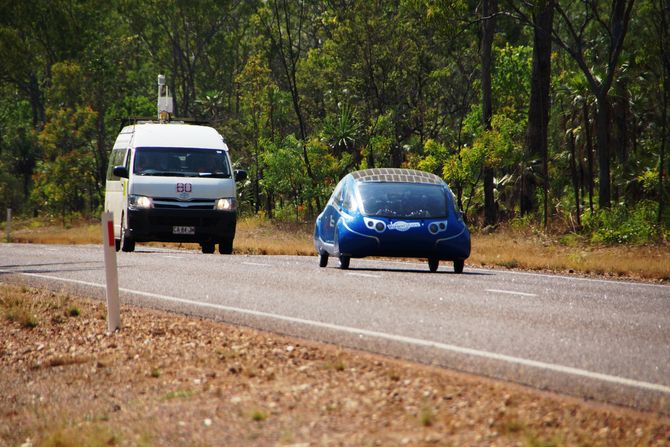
{"x":508,"y":248}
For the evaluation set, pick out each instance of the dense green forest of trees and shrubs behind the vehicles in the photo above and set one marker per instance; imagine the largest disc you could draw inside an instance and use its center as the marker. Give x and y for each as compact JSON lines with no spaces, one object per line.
{"x":305,"y":91}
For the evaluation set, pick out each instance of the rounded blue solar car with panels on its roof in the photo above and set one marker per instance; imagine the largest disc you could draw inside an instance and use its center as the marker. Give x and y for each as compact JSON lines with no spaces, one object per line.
{"x":392,"y":212}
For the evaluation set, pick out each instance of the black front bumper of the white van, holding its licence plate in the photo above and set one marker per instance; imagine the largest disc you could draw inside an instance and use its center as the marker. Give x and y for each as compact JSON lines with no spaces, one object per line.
{"x":162,"y":225}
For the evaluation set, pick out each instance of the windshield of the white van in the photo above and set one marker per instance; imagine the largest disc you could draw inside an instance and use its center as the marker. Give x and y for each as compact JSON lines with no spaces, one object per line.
{"x":181,"y":162}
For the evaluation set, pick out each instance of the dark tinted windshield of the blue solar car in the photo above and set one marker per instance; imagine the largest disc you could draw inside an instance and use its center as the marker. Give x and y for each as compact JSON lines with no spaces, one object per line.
{"x":403,"y":200}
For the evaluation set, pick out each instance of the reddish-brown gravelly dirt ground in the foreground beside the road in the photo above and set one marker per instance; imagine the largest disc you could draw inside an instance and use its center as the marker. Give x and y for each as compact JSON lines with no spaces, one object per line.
{"x":167,"y":380}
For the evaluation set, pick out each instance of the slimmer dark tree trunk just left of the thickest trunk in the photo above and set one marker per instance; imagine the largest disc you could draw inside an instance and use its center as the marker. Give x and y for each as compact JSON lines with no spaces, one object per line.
{"x":489,"y":8}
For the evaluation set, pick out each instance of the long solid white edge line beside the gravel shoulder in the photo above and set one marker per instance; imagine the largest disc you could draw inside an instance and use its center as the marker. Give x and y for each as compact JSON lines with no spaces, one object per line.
{"x":391,"y":337}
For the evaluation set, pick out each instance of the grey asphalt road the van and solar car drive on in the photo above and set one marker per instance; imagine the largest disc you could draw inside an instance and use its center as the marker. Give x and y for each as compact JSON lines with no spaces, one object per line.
{"x":596,"y":339}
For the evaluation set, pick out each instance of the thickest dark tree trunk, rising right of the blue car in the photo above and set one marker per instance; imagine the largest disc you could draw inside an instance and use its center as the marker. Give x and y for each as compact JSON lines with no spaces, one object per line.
{"x":538,"y":110}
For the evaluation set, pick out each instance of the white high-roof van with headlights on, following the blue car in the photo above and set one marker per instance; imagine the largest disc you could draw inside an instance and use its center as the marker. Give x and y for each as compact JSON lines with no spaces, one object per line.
{"x":172,"y":182}
